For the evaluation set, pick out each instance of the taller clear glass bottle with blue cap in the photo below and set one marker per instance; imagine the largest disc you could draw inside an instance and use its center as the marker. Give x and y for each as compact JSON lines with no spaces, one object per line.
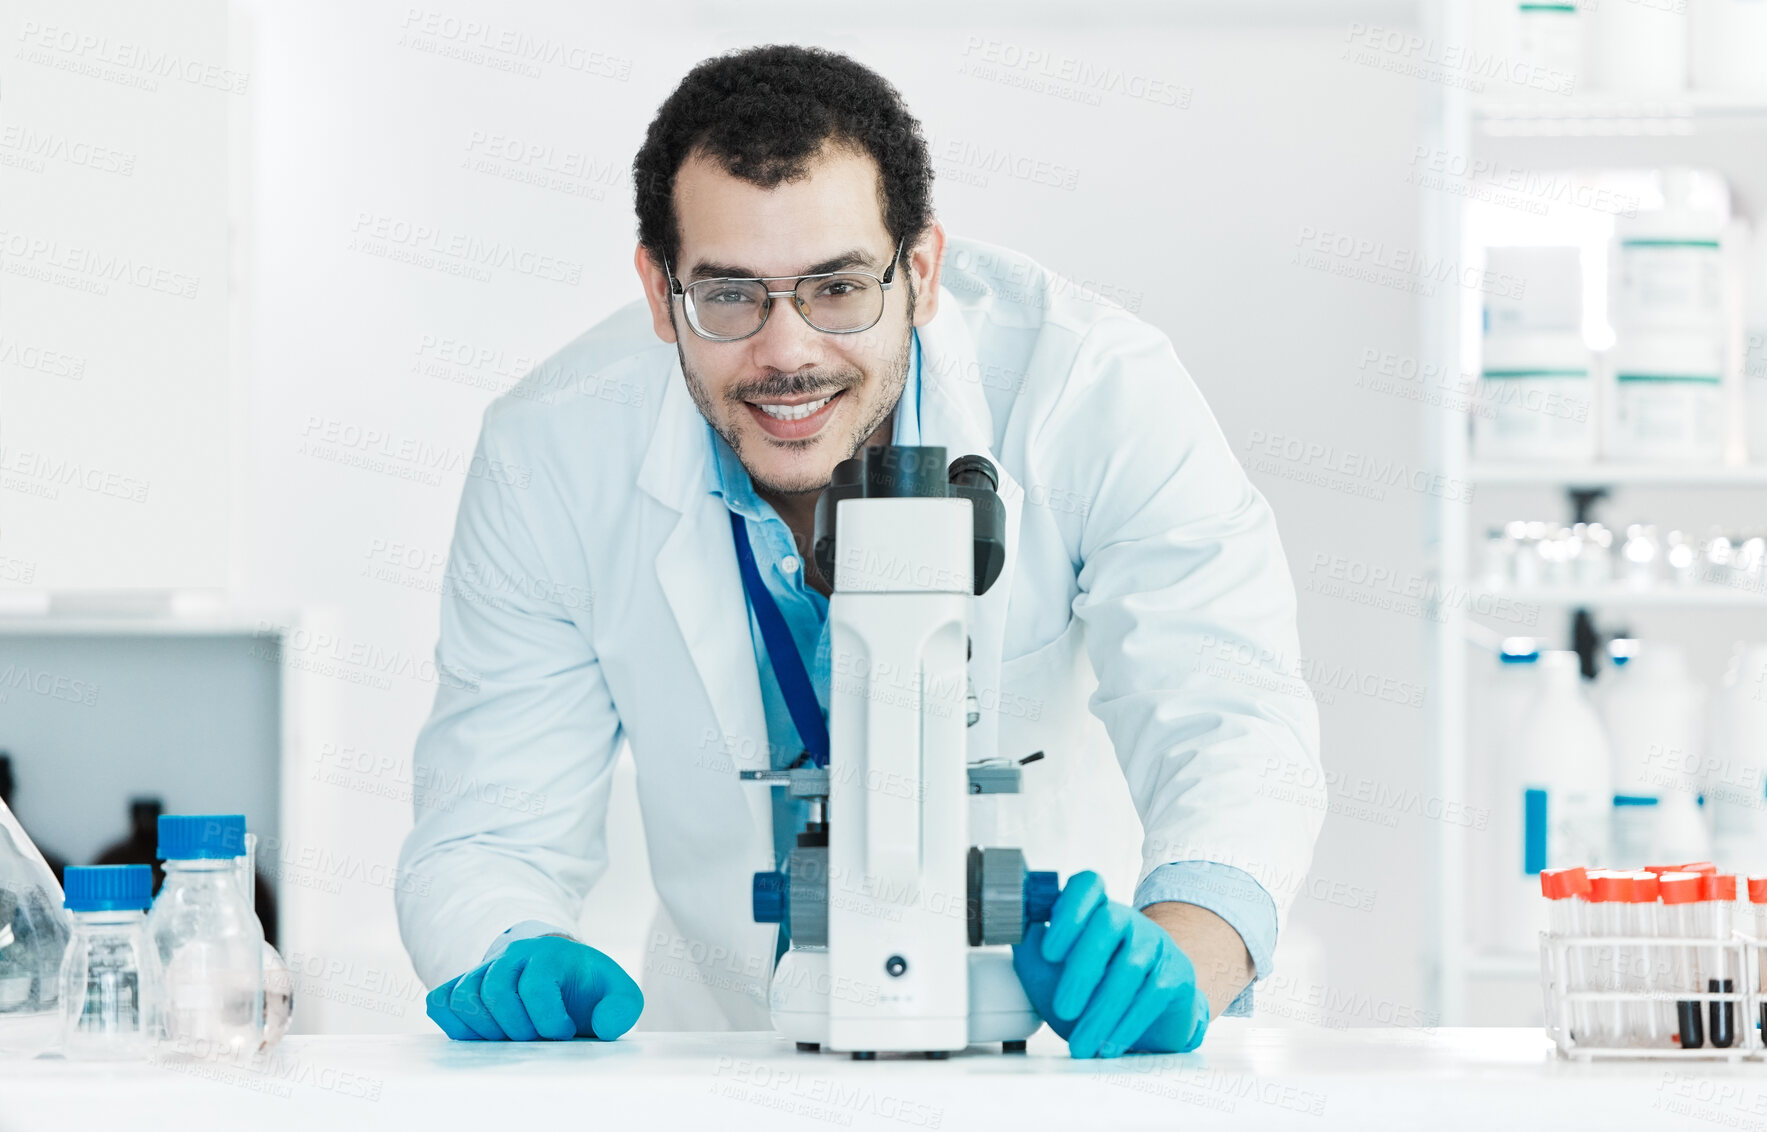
{"x":208,"y":939}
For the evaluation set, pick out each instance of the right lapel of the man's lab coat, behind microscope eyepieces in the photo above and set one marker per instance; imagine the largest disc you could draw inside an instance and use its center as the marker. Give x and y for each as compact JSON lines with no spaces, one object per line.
{"x":955,"y":414}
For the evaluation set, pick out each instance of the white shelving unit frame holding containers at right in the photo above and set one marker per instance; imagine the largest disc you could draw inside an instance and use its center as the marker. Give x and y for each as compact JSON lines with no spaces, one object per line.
{"x":1510,"y":133}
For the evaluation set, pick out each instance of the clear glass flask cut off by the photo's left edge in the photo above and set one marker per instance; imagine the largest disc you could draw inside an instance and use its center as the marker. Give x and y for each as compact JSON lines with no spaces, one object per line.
{"x":33,"y":939}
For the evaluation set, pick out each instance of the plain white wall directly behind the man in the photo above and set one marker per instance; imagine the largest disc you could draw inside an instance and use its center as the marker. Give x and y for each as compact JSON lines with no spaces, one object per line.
{"x":368,"y":375}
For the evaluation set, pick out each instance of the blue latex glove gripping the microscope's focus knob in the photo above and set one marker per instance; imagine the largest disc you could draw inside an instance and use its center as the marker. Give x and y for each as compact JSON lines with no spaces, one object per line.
{"x":1109,"y":979}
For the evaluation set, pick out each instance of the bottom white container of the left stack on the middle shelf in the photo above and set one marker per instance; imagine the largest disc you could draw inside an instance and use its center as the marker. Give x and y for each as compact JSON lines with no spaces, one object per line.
{"x":1536,"y":398}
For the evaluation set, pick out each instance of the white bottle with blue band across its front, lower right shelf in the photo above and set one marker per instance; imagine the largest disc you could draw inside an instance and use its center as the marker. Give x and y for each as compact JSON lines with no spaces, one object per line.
{"x":1655,"y":716}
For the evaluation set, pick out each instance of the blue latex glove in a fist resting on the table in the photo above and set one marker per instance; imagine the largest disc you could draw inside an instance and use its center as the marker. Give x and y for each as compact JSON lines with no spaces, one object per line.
{"x":547,"y":988}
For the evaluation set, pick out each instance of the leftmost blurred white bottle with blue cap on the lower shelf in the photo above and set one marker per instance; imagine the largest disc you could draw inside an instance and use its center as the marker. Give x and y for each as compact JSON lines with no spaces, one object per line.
{"x":1506,"y":893}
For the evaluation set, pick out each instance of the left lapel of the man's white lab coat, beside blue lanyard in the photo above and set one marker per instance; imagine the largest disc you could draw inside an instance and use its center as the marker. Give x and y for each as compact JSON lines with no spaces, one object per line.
{"x":697,"y":570}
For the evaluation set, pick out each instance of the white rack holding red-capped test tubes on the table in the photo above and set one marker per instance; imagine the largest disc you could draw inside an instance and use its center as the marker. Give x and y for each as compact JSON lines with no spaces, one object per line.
{"x":1745,"y":955}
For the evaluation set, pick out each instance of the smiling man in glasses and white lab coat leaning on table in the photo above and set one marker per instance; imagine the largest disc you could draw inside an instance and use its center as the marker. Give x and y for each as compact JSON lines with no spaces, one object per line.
{"x":801,"y":303}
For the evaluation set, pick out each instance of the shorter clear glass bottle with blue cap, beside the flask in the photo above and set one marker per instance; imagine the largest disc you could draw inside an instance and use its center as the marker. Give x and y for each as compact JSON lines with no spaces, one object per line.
{"x":110,"y":972}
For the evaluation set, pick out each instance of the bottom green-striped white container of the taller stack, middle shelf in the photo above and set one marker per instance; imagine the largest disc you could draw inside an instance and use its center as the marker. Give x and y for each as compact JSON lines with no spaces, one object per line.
{"x":1669,"y":396}
